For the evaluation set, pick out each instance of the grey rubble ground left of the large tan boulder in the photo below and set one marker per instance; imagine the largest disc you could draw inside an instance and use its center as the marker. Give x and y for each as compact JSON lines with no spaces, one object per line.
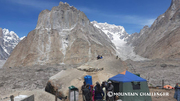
{"x":14,"y":79}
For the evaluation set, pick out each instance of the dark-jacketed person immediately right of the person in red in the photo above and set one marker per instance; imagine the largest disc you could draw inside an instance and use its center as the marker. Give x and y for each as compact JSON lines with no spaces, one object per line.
{"x":98,"y":92}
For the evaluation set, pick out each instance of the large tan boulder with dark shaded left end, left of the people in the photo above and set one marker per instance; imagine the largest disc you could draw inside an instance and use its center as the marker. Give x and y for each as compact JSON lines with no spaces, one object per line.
{"x":63,"y":80}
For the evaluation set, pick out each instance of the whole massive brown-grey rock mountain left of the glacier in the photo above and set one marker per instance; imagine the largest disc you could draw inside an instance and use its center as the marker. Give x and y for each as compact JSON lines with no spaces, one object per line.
{"x":63,"y":35}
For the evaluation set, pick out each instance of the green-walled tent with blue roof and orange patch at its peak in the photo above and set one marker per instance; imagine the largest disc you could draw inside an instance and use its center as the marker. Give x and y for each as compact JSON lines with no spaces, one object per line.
{"x":128,"y":83}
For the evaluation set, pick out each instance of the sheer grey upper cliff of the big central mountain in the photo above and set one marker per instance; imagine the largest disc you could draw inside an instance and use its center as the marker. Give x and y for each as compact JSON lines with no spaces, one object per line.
{"x":61,"y":17}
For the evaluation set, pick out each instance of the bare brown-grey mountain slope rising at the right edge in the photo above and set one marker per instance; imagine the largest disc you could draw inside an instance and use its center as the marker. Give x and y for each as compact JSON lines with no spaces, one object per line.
{"x":161,"y":40}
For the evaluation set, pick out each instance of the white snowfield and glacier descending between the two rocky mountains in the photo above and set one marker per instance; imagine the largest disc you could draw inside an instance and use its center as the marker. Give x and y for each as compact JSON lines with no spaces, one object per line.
{"x":118,"y":36}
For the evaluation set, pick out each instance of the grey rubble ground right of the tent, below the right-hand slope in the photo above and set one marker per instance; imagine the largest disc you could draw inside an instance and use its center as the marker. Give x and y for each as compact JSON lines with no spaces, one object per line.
{"x":157,"y":70}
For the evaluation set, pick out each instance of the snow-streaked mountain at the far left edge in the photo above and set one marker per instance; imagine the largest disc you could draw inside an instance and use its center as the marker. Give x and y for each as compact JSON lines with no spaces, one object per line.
{"x":8,"y":40}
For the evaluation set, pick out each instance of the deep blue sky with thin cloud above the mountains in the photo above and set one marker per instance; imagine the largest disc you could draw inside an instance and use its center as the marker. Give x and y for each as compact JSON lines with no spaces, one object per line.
{"x":21,"y":16}
